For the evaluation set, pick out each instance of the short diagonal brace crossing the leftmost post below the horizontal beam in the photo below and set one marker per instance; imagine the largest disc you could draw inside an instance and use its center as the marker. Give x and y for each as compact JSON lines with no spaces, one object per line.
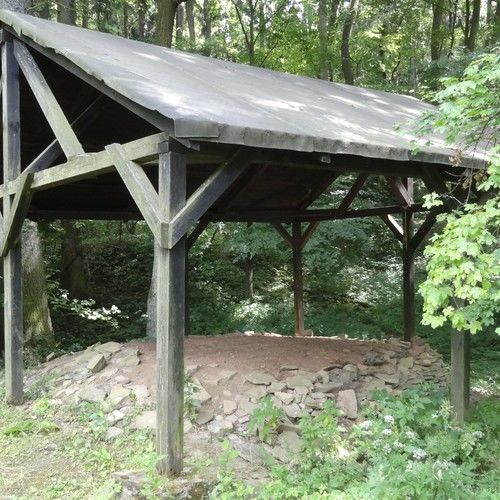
{"x":17,"y":213}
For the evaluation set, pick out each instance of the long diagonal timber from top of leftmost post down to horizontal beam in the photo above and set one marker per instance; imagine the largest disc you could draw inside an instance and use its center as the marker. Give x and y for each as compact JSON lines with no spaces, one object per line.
{"x":48,"y":103}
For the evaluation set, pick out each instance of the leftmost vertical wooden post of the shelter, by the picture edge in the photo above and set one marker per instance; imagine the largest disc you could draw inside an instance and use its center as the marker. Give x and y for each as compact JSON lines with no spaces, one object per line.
{"x":13,"y":306}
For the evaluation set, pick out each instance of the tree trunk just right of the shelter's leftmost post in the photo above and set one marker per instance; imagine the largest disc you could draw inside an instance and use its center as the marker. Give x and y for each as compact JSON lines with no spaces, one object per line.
{"x":37,"y":323}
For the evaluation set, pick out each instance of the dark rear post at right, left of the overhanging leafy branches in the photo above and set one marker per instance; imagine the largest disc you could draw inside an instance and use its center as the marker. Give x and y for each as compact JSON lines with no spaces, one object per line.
{"x":408,"y":269}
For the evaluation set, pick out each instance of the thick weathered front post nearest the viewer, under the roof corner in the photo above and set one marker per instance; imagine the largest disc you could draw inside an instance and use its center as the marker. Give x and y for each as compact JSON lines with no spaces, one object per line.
{"x":170,"y":322}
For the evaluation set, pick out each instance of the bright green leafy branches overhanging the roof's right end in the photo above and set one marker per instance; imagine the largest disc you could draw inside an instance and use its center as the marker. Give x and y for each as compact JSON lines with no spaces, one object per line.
{"x":463,"y":282}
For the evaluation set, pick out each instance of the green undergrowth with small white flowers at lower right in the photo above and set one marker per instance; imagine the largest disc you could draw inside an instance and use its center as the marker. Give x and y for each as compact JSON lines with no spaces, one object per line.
{"x":407,"y":446}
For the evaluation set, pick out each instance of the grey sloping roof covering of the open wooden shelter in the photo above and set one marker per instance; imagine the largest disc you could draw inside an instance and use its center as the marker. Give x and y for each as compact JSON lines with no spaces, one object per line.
{"x":237,"y":104}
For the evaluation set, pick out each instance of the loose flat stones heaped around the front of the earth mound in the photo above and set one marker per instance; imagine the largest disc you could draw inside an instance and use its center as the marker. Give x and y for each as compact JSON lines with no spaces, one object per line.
{"x":107,"y":374}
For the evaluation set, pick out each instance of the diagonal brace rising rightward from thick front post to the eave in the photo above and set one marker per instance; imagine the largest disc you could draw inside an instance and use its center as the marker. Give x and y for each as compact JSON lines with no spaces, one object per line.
{"x":203,"y":198}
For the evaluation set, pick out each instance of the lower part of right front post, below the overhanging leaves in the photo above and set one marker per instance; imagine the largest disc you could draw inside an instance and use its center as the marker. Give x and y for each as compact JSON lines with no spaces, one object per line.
{"x":460,"y":374}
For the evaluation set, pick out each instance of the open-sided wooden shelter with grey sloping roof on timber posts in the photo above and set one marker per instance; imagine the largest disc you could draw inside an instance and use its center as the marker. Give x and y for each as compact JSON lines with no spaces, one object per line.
{"x":99,"y":127}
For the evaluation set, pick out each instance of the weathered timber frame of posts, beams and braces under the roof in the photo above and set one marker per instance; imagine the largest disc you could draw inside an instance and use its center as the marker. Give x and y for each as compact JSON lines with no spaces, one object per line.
{"x":169,"y":214}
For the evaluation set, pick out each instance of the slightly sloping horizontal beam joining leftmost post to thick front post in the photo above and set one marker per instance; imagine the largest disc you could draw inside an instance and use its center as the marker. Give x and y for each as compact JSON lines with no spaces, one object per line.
{"x":89,"y":165}
